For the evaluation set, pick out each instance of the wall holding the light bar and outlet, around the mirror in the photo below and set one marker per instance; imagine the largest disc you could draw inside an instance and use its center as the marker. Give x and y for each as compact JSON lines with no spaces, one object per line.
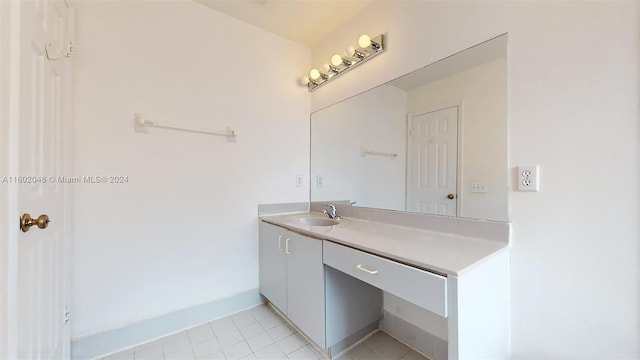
{"x":573,"y":109}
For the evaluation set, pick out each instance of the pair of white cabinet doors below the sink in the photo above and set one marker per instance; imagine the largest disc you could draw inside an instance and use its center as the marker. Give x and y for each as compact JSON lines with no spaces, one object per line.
{"x":292,"y":278}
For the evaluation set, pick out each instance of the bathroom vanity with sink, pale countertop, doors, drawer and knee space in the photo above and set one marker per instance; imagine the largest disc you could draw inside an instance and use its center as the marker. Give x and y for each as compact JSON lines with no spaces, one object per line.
{"x":328,"y":279}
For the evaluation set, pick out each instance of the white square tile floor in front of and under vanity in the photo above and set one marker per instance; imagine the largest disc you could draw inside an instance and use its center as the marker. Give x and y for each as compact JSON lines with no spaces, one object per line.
{"x":257,"y":333}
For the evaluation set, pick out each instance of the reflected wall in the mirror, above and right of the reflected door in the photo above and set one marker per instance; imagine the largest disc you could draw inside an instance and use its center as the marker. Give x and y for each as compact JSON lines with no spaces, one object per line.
{"x":481,"y":93}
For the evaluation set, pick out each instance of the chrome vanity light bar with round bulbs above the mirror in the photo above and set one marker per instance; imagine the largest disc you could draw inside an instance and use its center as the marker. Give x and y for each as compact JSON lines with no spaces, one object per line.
{"x":353,"y":57}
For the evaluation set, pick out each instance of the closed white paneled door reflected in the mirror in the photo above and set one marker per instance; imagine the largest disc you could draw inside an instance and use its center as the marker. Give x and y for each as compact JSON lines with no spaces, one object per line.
{"x":432,"y":162}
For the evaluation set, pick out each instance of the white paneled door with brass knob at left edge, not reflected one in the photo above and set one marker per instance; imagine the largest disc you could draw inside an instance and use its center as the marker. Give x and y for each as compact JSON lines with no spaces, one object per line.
{"x":40,"y":296}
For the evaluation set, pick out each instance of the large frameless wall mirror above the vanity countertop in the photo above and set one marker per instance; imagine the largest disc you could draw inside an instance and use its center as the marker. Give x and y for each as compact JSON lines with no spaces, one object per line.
{"x":432,"y":141}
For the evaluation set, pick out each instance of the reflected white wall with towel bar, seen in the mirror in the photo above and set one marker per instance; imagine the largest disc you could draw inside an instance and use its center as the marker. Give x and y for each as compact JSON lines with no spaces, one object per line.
{"x":376,"y":121}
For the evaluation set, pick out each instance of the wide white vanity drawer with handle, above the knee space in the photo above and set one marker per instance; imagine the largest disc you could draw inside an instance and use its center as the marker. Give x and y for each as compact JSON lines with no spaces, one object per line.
{"x":420,"y":287}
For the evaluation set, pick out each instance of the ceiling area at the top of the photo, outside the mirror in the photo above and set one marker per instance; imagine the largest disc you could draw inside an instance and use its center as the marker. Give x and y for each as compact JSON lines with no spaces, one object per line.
{"x":307,"y":22}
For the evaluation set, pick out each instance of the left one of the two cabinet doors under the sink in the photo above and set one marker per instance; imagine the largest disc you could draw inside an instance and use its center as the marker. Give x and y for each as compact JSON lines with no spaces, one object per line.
{"x":273,"y":265}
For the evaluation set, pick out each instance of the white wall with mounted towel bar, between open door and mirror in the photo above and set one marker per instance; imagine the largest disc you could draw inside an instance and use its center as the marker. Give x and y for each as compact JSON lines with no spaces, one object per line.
{"x":183,"y":231}
